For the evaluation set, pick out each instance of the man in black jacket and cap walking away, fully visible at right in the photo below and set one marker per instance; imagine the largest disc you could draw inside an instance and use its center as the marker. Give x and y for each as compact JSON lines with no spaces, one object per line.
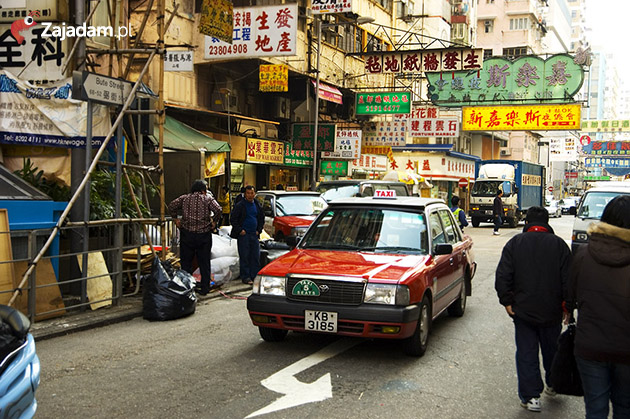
{"x":532,"y":283}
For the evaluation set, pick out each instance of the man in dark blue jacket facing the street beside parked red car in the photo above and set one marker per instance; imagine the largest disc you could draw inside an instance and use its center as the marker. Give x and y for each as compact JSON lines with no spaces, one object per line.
{"x":247,"y":222}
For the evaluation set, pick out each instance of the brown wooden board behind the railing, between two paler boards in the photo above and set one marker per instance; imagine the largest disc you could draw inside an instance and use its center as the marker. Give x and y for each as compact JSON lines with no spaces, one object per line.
{"x":46,"y":298}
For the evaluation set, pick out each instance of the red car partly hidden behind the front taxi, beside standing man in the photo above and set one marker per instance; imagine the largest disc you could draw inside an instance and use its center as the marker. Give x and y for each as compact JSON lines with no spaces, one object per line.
{"x":289,"y":213}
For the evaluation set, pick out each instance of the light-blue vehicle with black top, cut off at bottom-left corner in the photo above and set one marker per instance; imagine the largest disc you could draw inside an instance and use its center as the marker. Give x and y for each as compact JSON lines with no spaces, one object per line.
{"x":19,"y":365}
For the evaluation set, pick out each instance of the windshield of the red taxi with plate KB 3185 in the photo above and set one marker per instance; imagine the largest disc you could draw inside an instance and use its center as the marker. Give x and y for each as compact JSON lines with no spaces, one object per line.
{"x":368,"y":229}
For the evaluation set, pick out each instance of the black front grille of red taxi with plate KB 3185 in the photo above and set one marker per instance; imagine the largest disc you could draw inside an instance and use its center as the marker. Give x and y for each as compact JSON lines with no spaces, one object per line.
{"x":330,"y":291}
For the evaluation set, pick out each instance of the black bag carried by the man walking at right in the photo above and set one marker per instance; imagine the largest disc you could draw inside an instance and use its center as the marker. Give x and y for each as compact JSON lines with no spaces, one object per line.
{"x":564,"y":375}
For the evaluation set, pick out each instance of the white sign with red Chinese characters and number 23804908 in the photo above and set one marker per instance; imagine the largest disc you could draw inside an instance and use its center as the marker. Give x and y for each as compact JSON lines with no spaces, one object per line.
{"x":258,"y":31}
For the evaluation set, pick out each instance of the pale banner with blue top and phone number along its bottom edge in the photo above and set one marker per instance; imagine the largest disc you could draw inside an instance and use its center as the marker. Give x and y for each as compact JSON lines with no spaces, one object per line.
{"x":31,"y":115}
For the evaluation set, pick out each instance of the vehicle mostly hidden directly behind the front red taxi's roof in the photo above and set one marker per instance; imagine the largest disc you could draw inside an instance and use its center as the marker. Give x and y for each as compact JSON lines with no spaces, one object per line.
{"x":336,"y":189}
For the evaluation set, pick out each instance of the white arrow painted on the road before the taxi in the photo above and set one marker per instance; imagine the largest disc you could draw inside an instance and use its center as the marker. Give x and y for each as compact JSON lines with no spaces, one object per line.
{"x":296,"y":392}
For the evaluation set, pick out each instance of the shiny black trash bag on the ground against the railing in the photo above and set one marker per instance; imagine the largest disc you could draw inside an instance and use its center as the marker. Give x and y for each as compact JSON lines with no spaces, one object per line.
{"x":168,"y":293}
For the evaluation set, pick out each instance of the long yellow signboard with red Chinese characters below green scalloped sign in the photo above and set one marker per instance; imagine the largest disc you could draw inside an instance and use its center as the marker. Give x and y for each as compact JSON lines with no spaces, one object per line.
{"x":521,"y":118}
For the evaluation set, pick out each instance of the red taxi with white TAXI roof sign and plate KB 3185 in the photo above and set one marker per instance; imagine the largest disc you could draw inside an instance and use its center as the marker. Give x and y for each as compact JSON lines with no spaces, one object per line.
{"x":368,"y":267}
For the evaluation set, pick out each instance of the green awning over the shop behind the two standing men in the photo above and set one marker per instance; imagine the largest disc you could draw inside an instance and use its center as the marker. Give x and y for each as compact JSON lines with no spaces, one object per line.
{"x":179,"y":136}
